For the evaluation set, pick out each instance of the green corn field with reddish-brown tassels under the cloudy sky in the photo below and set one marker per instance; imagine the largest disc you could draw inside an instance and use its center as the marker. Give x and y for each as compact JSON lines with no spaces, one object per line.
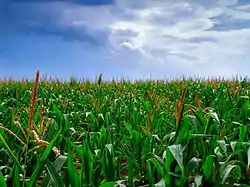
{"x":120,"y":133}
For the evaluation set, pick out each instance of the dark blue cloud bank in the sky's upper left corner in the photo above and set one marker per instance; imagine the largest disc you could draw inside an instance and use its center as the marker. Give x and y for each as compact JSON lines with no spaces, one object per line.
{"x":33,"y":18}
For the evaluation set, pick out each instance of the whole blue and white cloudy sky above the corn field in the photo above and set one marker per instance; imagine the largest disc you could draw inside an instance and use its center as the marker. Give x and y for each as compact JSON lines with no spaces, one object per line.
{"x":132,"y":39}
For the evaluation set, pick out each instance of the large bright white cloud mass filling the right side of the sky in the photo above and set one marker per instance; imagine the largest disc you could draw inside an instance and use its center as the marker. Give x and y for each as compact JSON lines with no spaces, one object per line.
{"x":162,"y":36}
